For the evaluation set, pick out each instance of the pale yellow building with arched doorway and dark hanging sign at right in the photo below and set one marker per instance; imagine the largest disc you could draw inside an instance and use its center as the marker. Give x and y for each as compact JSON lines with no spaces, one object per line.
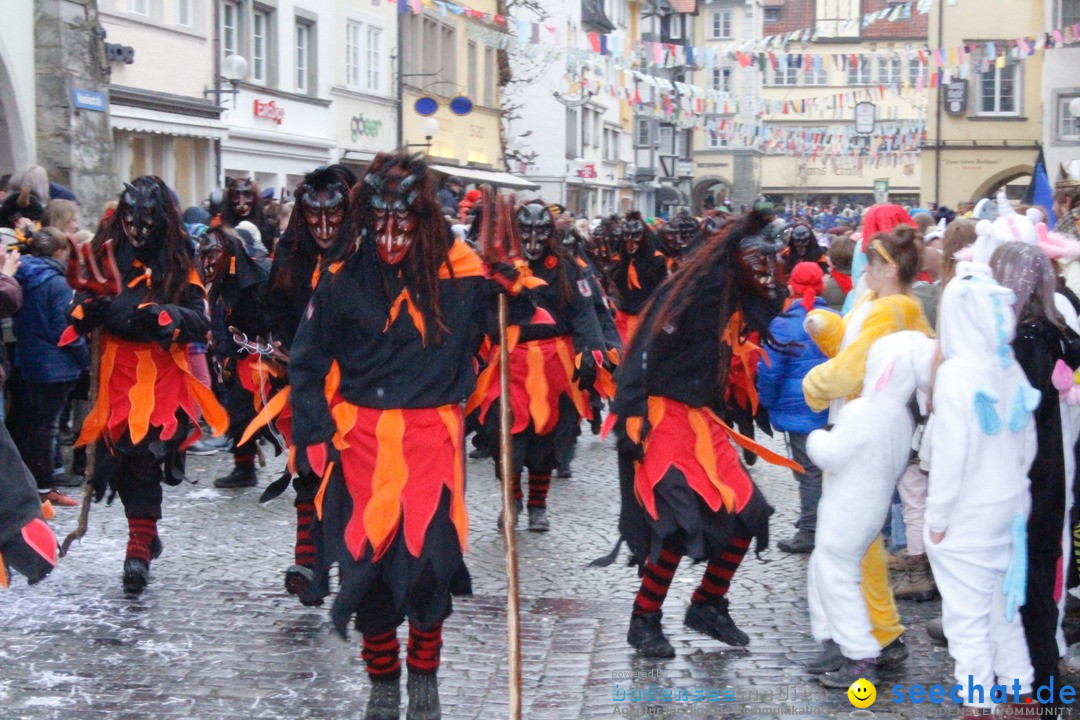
{"x":988,"y":134}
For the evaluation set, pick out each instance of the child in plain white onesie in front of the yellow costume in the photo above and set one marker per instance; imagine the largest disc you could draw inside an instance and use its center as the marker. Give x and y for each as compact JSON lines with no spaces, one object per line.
{"x":862,"y":456}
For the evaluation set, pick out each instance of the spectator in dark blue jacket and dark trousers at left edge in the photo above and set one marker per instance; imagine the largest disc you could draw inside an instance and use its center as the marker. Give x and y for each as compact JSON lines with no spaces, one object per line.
{"x":48,"y":373}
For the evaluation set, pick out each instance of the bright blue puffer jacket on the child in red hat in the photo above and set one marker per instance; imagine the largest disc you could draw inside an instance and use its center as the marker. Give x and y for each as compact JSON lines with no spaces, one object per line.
{"x":780,"y":385}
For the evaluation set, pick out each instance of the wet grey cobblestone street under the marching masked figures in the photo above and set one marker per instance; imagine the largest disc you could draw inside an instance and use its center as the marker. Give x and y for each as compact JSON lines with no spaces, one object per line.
{"x":215,"y":636}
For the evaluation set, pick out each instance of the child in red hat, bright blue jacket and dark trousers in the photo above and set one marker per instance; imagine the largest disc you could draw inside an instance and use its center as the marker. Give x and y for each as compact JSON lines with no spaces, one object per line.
{"x":780,"y":390}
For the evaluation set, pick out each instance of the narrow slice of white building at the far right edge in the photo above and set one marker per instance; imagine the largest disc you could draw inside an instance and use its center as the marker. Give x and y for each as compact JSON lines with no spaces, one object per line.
{"x":1061,"y":86}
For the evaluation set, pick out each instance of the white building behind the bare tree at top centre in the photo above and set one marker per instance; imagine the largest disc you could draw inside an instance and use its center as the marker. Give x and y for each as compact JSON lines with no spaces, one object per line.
{"x":589,"y":175}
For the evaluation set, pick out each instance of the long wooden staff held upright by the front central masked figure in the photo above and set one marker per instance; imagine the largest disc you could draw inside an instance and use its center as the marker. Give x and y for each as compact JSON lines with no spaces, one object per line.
{"x":510,"y":519}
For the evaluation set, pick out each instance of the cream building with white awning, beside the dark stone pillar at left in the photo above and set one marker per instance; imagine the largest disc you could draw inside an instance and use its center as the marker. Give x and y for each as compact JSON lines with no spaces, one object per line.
{"x":161,"y":59}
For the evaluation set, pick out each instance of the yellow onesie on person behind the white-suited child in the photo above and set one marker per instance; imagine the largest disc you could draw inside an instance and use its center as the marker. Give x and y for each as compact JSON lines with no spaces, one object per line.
{"x":842,"y":378}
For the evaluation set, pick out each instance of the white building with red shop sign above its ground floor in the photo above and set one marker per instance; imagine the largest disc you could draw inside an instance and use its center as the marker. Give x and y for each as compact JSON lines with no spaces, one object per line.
{"x":281,"y":123}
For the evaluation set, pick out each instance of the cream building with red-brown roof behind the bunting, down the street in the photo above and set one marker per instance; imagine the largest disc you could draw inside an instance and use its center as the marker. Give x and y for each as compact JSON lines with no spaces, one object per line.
{"x":793,"y":135}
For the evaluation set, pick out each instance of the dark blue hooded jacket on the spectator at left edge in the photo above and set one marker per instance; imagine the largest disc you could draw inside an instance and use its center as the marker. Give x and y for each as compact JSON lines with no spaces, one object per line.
{"x":42,"y":321}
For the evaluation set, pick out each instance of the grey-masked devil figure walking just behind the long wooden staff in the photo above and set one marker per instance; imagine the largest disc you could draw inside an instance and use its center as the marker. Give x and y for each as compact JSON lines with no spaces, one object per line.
{"x":553,"y":366}
